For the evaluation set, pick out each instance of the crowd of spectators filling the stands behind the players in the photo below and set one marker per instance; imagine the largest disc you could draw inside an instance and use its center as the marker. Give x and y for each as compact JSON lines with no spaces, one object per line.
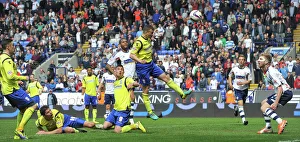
{"x":204,"y":51}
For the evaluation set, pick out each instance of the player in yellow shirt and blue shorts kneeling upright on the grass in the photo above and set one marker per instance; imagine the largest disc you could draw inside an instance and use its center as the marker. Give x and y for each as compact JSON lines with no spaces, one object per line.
{"x":120,"y":114}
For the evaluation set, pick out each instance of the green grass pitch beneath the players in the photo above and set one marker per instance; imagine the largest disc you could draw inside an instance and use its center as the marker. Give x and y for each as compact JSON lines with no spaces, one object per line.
{"x":169,"y":129}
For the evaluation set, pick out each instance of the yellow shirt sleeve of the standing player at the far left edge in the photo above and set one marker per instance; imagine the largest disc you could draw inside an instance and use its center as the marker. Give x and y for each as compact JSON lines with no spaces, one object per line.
{"x":9,"y":71}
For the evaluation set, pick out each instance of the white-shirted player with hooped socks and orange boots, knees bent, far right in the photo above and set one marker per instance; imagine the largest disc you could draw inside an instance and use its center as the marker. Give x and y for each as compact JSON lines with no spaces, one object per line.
{"x":282,"y":94}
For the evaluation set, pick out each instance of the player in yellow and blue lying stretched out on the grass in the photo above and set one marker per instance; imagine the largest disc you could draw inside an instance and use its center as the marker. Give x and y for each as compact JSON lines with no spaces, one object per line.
{"x":57,"y":123}
